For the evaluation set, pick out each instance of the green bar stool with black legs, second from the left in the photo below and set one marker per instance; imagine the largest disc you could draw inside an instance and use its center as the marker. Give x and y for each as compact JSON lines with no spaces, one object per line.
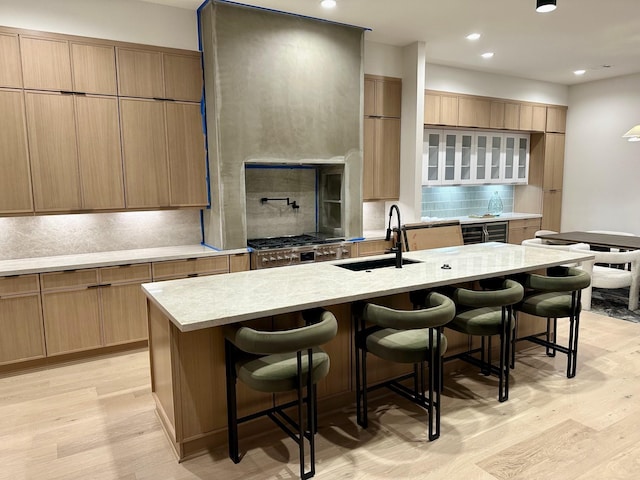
{"x":404,"y":336}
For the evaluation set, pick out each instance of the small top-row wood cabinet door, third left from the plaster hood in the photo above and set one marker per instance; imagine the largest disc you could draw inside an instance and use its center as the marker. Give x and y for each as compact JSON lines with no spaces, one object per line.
{"x":94,"y":68}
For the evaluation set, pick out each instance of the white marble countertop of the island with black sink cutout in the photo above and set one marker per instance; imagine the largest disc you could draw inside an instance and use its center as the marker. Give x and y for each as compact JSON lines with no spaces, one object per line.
{"x":211,"y":301}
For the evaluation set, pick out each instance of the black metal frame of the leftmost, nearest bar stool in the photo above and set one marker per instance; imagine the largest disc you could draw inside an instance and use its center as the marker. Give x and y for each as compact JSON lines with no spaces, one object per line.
{"x":294,"y":428}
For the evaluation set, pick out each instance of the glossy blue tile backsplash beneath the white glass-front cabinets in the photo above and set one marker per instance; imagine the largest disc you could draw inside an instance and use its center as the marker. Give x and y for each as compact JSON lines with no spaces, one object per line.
{"x":458,"y":201}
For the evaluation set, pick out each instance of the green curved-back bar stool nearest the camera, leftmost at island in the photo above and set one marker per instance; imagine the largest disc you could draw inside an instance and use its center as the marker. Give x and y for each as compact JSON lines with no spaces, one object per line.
{"x":280,"y":361}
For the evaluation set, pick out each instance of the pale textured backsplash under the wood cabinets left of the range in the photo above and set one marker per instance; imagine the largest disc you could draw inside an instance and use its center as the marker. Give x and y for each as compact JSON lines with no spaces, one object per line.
{"x":49,"y":235}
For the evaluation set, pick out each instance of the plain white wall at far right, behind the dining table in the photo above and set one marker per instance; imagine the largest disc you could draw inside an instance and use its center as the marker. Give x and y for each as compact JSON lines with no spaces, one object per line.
{"x":600,"y":190}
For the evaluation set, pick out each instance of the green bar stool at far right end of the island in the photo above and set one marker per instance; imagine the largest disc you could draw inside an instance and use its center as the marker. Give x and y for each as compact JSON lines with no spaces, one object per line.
{"x":552,"y":296}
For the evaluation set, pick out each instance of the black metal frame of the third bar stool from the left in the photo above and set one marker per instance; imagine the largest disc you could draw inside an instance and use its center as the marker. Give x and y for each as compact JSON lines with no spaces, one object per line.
{"x":484,"y":362}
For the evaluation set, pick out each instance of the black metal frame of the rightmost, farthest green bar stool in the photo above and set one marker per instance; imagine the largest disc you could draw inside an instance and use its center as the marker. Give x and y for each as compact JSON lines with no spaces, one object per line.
{"x":550,"y":336}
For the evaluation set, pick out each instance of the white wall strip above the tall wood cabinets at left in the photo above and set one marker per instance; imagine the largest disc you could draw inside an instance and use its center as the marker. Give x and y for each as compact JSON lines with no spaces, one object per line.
{"x":123,"y":20}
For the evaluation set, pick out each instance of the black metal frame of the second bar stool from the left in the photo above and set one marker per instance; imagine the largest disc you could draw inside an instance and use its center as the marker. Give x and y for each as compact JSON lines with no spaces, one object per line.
{"x":431,"y":402}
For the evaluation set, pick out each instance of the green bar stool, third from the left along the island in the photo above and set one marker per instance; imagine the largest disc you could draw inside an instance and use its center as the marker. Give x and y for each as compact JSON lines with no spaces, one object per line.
{"x":487,"y":313}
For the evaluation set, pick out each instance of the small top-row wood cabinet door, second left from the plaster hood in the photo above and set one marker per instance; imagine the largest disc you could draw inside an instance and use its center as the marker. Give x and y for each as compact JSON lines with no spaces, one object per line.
{"x":140,"y":73}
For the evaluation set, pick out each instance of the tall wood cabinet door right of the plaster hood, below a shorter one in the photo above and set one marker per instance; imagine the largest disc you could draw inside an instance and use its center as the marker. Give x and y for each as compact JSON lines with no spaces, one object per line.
{"x":381,"y":162}
